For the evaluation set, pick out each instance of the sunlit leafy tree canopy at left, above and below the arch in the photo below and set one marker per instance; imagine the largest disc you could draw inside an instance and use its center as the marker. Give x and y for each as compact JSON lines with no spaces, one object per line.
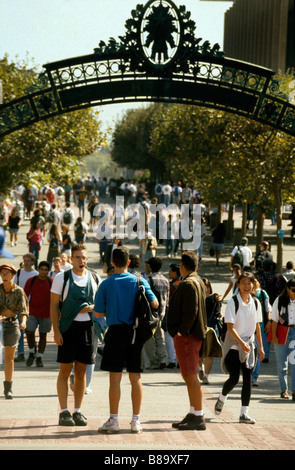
{"x":51,"y":150}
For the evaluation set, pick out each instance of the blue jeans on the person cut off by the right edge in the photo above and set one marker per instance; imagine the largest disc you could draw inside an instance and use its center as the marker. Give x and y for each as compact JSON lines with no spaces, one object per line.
{"x":285,"y":355}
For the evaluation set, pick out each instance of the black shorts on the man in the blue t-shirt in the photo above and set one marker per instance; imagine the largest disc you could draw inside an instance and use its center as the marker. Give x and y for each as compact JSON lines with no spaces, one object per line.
{"x":119,"y":352}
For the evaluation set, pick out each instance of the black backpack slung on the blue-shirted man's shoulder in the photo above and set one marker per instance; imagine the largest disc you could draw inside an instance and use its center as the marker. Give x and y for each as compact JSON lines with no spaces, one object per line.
{"x":146,"y":320}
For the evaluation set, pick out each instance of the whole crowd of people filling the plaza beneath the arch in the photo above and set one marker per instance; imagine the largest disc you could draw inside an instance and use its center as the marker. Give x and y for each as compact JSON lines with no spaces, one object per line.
{"x":90,"y":315}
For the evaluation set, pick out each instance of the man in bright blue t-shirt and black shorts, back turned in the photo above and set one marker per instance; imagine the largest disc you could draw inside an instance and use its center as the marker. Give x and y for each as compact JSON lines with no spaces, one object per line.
{"x":115,"y":301}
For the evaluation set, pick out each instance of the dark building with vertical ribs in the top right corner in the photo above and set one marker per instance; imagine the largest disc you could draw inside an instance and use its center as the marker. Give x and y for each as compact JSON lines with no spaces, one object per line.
{"x":261,"y":32}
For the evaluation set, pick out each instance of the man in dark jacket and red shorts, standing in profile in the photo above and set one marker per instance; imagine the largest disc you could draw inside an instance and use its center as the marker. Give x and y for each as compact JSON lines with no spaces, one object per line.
{"x":187,"y":324}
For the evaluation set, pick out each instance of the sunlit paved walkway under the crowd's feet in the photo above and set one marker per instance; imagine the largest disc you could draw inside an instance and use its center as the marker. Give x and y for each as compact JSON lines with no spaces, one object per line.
{"x":29,"y":421}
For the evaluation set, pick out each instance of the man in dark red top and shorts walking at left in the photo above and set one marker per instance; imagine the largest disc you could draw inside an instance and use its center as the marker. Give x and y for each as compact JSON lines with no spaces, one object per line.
{"x":37,"y":289}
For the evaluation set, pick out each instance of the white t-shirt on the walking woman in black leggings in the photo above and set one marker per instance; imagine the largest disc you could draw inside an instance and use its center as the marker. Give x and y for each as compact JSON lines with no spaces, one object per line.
{"x":246,"y":317}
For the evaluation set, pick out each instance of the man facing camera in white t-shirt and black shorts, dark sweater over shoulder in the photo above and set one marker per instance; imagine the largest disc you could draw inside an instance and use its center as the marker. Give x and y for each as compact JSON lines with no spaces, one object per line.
{"x":71,"y":307}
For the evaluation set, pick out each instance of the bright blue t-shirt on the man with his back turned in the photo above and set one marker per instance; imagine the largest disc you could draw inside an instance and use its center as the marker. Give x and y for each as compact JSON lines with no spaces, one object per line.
{"x":116,"y":297}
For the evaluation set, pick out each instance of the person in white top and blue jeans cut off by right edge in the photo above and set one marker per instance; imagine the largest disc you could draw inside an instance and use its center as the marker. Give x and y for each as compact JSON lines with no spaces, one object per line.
{"x":283,"y":313}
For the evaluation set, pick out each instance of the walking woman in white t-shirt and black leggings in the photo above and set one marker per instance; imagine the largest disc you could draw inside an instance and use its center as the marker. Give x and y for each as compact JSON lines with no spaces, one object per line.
{"x":242,"y":316}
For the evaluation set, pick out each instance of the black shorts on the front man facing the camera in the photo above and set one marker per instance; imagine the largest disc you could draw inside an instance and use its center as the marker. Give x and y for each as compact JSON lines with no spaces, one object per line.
{"x":77,"y":344}
